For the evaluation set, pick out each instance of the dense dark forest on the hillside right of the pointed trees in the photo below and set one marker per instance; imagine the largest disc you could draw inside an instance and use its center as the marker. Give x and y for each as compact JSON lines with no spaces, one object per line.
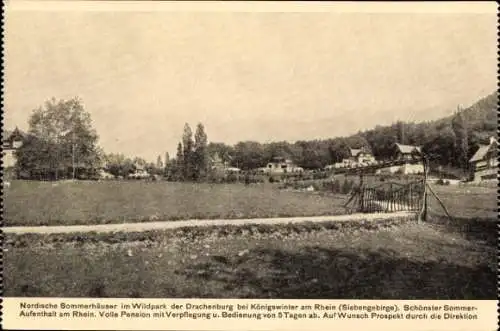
{"x":449,"y":141}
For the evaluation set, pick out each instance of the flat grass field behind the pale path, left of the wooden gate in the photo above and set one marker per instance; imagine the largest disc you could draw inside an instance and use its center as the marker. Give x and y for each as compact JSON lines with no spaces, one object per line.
{"x":42,"y":203}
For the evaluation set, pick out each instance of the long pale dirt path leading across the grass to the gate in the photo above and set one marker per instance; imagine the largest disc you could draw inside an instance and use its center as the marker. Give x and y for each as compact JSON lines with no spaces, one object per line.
{"x":145,"y":226}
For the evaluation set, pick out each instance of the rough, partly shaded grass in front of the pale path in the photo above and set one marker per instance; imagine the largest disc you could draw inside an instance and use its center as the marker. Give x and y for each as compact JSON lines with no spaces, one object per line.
{"x":395,"y":260}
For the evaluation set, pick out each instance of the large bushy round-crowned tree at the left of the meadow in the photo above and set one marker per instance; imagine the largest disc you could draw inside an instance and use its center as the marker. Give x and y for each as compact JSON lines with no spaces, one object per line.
{"x":63,"y":129}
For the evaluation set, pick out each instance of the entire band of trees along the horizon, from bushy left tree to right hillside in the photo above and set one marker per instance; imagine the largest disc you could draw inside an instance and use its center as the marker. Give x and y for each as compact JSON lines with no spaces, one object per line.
{"x":61,"y":143}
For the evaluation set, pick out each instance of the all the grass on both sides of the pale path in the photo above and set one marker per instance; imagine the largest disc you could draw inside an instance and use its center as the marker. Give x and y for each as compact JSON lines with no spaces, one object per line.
{"x":386,"y":259}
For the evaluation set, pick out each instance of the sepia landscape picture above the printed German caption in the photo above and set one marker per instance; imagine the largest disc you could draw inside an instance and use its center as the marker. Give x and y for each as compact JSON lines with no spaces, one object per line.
{"x":249,"y":154}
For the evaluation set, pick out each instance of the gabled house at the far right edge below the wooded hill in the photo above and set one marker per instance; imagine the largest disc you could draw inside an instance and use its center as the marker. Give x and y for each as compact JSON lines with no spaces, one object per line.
{"x":484,"y":162}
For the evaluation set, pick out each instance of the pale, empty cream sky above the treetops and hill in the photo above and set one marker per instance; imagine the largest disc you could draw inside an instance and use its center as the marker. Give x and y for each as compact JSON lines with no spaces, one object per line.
{"x":263,"y":76}
